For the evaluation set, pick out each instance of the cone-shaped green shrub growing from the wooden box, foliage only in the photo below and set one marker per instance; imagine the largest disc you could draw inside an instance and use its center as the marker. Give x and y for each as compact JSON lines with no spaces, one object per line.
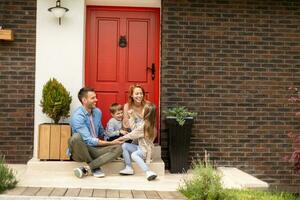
{"x":56,"y":100}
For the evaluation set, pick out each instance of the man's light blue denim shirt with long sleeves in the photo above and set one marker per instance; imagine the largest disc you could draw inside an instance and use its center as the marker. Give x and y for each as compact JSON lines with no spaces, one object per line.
{"x":80,"y":123}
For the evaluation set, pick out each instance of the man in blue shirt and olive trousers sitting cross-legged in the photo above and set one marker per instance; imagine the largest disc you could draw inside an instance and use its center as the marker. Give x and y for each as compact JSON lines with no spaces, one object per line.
{"x":85,"y":144}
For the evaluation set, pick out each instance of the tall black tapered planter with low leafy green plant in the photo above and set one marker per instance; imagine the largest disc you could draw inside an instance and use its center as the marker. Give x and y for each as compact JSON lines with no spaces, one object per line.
{"x":179,"y":122}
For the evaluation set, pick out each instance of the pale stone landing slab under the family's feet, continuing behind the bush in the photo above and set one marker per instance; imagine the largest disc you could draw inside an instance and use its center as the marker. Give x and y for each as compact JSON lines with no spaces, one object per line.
{"x":231,"y":178}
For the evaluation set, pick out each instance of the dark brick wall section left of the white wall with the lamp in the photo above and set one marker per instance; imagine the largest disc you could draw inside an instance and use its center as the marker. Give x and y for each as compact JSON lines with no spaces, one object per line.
{"x":17,"y":68}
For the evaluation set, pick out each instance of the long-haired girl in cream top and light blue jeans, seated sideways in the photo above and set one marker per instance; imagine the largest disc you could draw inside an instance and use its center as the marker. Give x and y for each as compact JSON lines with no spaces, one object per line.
{"x":145,"y":133}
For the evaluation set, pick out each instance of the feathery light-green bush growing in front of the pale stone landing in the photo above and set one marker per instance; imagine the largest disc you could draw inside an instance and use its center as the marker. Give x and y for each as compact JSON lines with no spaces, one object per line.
{"x":205,"y":184}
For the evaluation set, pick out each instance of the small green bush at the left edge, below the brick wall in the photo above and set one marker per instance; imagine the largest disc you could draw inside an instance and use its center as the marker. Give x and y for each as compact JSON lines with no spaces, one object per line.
{"x":7,"y":176}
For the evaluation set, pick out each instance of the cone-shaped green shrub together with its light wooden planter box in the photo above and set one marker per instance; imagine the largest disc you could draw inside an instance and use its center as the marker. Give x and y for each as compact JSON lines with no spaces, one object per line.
{"x":55,"y":103}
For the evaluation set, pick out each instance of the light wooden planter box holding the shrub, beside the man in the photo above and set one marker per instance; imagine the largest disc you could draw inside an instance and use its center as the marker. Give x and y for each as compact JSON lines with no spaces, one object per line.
{"x":53,"y":141}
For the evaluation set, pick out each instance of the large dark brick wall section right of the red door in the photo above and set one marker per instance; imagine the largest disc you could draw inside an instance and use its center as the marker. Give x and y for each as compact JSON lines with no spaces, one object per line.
{"x":232,"y":62}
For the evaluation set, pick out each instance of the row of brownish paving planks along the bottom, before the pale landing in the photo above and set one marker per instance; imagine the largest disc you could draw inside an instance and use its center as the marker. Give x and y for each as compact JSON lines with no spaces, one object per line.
{"x":92,"y":193}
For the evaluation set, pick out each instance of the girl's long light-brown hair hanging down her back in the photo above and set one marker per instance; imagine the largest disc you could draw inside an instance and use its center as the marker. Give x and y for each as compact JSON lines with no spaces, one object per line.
{"x":150,"y":121}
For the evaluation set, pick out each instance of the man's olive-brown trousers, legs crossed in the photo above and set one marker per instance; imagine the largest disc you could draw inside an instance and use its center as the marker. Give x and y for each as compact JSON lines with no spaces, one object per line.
{"x":95,"y":157}
